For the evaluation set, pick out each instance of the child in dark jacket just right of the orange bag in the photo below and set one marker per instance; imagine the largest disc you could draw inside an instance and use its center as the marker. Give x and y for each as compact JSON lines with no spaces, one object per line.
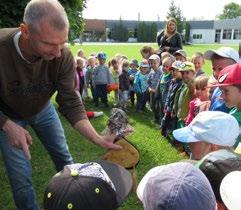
{"x":124,"y":85}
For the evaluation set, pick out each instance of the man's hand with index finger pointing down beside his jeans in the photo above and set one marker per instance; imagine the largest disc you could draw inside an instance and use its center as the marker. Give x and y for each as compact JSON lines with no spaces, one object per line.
{"x":18,"y":137}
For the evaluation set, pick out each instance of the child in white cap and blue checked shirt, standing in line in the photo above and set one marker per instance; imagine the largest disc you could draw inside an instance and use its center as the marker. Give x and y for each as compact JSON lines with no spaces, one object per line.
{"x":153,"y":81}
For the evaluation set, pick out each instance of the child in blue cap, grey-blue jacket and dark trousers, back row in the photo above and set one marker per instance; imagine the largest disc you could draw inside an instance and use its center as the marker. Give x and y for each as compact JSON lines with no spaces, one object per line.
{"x":101,"y":78}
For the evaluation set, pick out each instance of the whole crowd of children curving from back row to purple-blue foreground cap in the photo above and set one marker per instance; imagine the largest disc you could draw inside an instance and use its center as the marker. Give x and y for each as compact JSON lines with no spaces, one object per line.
{"x":189,"y":107}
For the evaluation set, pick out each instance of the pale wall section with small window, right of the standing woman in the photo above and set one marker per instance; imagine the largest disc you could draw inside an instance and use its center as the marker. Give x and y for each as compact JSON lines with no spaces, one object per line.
{"x":208,"y":36}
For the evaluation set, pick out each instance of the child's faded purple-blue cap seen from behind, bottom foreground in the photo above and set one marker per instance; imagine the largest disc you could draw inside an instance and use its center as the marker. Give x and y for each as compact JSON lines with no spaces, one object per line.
{"x":176,"y":186}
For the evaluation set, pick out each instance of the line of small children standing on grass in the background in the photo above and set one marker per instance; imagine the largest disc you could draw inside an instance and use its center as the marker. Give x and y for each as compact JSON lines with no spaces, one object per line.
{"x":175,"y":86}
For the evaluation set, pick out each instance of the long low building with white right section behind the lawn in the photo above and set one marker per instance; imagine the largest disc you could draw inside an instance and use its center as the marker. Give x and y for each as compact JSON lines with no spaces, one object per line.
{"x":201,"y":31}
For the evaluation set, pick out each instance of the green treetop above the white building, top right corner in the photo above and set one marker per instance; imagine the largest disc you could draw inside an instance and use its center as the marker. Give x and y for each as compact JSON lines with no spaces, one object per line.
{"x":230,"y":10}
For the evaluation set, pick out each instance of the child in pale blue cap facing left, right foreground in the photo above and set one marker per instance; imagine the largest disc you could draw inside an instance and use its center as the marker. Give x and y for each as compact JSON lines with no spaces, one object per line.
{"x":209,"y":131}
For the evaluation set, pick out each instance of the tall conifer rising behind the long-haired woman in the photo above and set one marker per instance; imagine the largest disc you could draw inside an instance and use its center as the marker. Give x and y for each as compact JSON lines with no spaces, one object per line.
{"x":176,"y":12}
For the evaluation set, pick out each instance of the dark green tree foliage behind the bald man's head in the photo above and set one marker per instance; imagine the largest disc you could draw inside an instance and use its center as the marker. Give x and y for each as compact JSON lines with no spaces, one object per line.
{"x":11,"y":13}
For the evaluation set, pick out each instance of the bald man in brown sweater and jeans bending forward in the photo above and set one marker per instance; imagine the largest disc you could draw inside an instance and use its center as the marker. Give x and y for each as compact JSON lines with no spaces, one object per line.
{"x":34,"y":65}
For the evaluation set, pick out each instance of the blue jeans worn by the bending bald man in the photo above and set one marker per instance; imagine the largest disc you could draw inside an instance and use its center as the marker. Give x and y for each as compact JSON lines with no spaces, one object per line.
{"x":48,"y":127}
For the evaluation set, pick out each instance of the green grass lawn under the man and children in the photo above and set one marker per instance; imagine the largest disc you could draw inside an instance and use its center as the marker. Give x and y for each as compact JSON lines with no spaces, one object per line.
{"x":154,"y":150}
